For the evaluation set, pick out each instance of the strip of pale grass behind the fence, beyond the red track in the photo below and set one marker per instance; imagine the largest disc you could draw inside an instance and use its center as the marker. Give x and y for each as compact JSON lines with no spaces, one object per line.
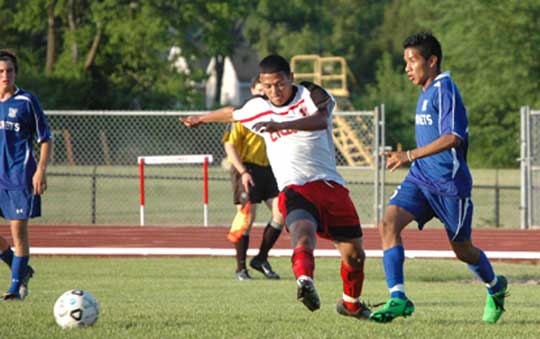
{"x":179,"y":201}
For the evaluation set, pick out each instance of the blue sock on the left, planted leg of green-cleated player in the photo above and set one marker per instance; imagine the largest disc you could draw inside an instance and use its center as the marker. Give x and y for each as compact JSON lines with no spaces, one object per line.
{"x":393,"y":260}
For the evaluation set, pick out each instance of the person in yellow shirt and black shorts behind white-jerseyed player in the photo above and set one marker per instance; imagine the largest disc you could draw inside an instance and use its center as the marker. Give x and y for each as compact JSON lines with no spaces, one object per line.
{"x":252,"y":177}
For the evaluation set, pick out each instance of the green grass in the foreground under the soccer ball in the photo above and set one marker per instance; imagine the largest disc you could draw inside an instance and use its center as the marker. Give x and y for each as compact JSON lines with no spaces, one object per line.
{"x":198,"y":298}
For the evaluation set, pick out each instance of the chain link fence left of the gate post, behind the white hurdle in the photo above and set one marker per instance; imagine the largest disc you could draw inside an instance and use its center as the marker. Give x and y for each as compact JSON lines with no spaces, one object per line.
{"x":93,"y":173}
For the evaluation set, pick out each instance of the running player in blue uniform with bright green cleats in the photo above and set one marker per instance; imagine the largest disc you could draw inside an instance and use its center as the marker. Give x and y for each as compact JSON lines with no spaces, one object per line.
{"x":438,"y":183}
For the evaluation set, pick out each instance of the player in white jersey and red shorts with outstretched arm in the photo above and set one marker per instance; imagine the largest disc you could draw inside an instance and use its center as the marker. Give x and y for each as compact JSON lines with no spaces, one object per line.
{"x":296,"y":122}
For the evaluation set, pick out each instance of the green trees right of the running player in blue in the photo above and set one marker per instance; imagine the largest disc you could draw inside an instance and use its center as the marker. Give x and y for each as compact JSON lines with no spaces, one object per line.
{"x":493,"y":49}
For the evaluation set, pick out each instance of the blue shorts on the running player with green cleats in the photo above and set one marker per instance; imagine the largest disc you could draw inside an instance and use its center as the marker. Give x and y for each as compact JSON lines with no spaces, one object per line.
{"x":454,"y":212}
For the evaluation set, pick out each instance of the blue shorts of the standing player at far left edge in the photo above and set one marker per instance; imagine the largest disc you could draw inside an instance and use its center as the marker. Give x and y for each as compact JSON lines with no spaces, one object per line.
{"x":19,"y":204}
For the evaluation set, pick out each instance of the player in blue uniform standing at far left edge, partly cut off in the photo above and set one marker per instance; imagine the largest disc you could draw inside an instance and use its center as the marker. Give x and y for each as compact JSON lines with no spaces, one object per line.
{"x":22,"y":181}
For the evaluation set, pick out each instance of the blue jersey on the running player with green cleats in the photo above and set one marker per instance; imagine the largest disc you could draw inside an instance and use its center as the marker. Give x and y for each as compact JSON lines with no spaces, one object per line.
{"x":440,"y":110}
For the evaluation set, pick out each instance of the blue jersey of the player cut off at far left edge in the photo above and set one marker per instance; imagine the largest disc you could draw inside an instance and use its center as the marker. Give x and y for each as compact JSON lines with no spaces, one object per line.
{"x":21,"y":118}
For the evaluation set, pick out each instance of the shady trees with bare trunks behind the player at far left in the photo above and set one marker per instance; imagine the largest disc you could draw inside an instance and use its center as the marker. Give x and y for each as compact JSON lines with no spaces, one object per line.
{"x":124,"y":45}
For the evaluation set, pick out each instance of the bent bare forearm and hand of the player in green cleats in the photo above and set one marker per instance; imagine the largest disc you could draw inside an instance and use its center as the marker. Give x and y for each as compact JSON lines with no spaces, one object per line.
{"x":398,"y":159}
